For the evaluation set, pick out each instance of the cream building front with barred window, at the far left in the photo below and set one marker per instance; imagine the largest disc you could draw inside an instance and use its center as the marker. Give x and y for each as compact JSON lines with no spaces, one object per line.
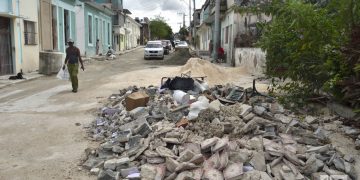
{"x":18,"y":36}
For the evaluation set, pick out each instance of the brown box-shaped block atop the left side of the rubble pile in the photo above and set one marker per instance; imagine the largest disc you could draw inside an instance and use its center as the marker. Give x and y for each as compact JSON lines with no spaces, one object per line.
{"x":137,"y":99}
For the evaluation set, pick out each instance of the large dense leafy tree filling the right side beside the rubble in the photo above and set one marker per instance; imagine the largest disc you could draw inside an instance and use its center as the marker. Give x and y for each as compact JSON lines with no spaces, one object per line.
{"x":313,"y":43}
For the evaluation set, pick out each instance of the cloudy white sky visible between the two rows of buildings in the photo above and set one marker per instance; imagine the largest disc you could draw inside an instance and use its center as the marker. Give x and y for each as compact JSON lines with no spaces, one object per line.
{"x":169,"y":9}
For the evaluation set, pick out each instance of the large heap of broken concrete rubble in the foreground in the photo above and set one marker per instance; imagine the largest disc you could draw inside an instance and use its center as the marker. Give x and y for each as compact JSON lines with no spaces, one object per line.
{"x":224,"y":132}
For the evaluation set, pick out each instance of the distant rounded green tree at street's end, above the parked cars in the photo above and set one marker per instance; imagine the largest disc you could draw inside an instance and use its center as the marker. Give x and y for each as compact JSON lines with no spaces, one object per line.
{"x":159,"y":29}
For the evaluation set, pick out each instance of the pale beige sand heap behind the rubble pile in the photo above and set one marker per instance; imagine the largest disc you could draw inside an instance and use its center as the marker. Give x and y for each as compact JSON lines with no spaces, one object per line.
{"x":199,"y":67}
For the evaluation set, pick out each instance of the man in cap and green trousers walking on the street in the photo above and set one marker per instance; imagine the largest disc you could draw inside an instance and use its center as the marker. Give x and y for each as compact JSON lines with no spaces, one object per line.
{"x":72,"y":60}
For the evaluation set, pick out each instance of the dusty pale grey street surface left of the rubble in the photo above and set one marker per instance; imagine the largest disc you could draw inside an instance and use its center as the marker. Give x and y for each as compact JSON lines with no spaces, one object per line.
{"x":39,"y":134}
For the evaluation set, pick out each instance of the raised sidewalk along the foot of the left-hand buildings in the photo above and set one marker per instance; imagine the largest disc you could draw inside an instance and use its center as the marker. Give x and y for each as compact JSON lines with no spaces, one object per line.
{"x":4,"y":80}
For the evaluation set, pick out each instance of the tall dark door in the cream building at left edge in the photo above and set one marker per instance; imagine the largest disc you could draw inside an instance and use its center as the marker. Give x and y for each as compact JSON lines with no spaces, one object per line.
{"x":6,"y":62}
